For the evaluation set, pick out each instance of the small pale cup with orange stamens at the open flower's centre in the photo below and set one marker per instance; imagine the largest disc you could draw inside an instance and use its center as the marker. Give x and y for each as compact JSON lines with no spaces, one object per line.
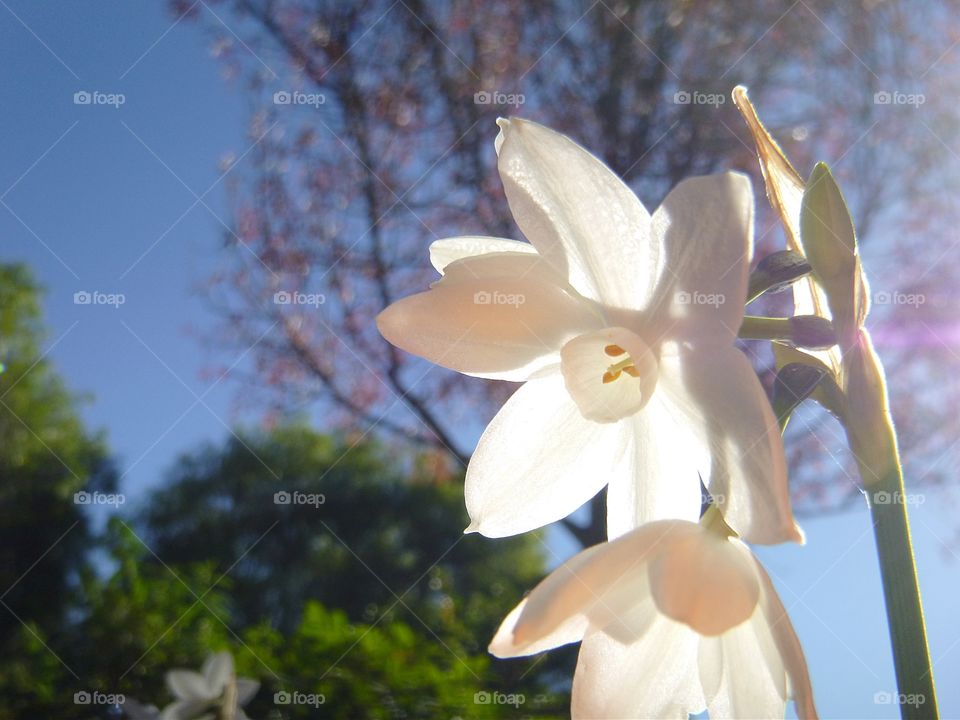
{"x":610,"y":373}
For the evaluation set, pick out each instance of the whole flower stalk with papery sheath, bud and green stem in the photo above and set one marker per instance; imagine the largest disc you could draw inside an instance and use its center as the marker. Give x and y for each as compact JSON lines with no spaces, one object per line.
{"x":818,"y":225}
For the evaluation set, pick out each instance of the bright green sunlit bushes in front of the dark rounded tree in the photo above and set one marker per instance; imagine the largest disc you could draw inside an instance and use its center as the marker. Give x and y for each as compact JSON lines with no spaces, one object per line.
{"x":147,"y":619}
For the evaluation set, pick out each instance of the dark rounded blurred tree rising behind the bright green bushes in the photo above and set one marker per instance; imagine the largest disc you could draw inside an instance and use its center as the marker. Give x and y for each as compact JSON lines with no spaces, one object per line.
{"x":382,"y":540}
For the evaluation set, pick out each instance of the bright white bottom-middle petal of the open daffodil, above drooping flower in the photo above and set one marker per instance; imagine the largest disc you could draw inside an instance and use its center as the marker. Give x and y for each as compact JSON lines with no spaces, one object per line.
{"x":663,"y":480}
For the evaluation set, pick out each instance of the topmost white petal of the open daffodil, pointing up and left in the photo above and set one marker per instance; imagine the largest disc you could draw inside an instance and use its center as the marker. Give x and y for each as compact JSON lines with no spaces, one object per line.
{"x":578,"y":214}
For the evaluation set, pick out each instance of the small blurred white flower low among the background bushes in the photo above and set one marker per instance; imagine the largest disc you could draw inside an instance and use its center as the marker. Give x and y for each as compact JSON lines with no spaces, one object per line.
{"x":216,"y":684}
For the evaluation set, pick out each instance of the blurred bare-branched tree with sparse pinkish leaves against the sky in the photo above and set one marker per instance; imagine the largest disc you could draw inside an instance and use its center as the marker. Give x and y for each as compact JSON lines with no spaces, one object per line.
{"x":390,"y":147}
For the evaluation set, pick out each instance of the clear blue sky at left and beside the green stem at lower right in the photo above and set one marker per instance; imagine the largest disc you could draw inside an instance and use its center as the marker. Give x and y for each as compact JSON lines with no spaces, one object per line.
{"x":98,"y":198}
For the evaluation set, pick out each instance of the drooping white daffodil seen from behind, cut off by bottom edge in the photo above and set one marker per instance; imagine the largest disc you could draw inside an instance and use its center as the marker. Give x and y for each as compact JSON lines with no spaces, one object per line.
{"x":675,"y":618}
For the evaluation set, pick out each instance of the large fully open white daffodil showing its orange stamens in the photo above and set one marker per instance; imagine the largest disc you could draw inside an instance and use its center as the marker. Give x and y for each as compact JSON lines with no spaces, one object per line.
{"x":622,"y":324}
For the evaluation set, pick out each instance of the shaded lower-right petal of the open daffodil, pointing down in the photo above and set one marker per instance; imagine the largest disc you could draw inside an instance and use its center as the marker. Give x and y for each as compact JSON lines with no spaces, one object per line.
{"x":718,"y":394}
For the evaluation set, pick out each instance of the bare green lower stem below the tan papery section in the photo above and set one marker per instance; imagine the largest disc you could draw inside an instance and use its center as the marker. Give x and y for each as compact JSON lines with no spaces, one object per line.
{"x":902,"y":595}
